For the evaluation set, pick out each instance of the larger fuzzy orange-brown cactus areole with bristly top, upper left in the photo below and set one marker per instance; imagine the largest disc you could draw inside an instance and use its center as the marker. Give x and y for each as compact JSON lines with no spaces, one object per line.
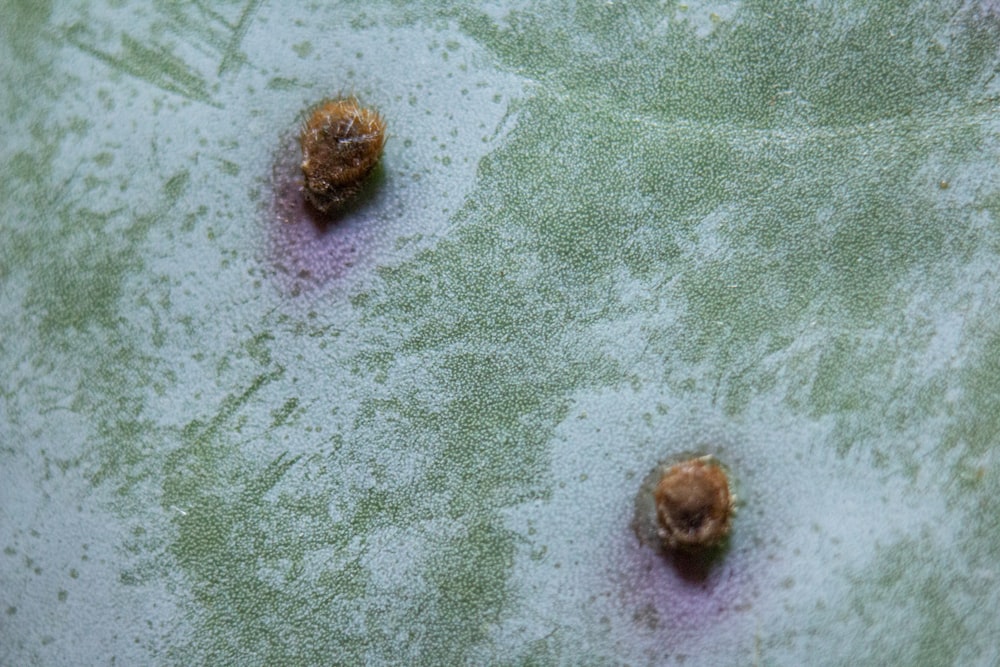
{"x":341,"y":144}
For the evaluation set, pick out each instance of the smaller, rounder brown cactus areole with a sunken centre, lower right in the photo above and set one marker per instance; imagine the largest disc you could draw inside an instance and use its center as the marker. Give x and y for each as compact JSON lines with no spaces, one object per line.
{"x":694,"y":506}
